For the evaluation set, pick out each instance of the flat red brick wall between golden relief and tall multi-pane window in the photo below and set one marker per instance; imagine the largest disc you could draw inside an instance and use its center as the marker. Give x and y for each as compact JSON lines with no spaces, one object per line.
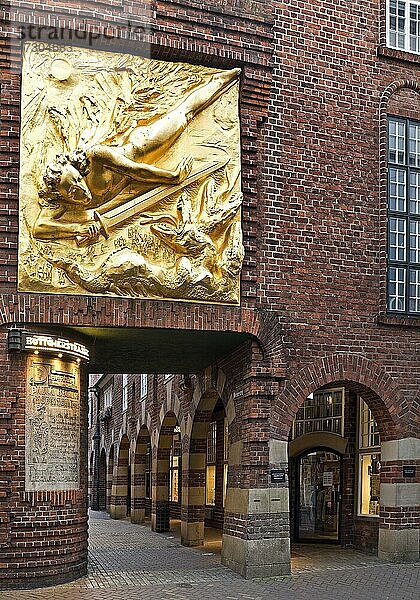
{"x":323,"y":241}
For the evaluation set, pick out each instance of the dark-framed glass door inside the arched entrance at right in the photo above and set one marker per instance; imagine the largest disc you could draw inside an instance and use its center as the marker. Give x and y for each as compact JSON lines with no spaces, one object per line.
{"x":318,"y":496}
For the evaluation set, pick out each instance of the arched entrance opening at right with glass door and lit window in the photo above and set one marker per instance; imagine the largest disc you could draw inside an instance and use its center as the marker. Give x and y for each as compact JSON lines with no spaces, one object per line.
{"x":335,"y":466}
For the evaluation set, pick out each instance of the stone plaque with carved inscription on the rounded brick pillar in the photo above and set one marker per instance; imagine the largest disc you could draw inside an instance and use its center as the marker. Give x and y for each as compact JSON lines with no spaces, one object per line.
{"x":52,"y":425}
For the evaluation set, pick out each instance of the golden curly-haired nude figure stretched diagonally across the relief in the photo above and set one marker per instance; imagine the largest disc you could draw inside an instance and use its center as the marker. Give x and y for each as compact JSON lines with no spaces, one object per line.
{"x":78,"y":183}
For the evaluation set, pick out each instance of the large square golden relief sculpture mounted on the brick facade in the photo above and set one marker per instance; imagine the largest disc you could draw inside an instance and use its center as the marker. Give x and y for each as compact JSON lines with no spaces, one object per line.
{"x":130,"y":181}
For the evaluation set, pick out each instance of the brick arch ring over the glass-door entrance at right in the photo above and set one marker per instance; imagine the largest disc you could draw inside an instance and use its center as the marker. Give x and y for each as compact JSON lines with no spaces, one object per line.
{"x":362,"y":375}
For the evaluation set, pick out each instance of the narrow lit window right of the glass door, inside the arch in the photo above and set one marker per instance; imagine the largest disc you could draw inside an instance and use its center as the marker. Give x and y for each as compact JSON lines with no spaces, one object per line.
{"x":369,"y":458}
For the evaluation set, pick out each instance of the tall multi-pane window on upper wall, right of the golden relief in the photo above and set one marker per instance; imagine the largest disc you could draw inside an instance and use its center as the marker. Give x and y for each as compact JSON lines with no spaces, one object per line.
{"x":403,"y":215}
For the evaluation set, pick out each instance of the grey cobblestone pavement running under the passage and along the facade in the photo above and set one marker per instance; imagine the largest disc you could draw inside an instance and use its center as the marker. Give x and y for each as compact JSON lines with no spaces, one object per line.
{"x":129,"y":562}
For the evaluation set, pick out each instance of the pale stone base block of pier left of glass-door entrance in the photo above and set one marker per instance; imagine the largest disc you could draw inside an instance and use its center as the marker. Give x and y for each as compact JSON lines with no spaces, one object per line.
{"x":256,"y":558}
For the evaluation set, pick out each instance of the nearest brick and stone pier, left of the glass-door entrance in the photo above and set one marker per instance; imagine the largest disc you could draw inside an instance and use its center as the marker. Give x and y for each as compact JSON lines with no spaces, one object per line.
{"x":256,"y":539}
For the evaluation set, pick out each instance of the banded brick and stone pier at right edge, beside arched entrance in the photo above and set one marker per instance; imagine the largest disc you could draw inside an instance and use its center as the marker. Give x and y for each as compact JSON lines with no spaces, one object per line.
{"x":400,"y":501}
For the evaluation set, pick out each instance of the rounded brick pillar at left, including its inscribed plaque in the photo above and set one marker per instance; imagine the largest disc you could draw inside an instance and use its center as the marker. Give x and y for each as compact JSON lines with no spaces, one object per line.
{"x":43,"y":509}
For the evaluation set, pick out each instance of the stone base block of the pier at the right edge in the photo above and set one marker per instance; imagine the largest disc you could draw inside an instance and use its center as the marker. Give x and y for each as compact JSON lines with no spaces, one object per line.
{"x":399,"y":545}
